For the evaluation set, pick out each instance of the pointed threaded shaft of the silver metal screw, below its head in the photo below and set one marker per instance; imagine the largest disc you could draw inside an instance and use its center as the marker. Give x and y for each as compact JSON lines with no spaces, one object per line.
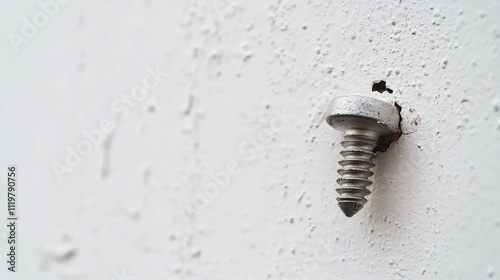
{"x":358,"y":160}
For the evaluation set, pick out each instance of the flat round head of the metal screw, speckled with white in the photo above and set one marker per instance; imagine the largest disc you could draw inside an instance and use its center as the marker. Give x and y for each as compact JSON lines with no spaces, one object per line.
{"x":348,"y":112}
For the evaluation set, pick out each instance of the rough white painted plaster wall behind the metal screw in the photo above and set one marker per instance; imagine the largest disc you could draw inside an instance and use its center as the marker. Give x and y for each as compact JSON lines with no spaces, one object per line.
{"x":434,"y":210}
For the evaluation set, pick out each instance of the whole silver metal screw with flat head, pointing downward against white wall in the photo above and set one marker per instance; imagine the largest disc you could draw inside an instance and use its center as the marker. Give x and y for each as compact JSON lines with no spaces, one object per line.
{"x":363,"y":120}
